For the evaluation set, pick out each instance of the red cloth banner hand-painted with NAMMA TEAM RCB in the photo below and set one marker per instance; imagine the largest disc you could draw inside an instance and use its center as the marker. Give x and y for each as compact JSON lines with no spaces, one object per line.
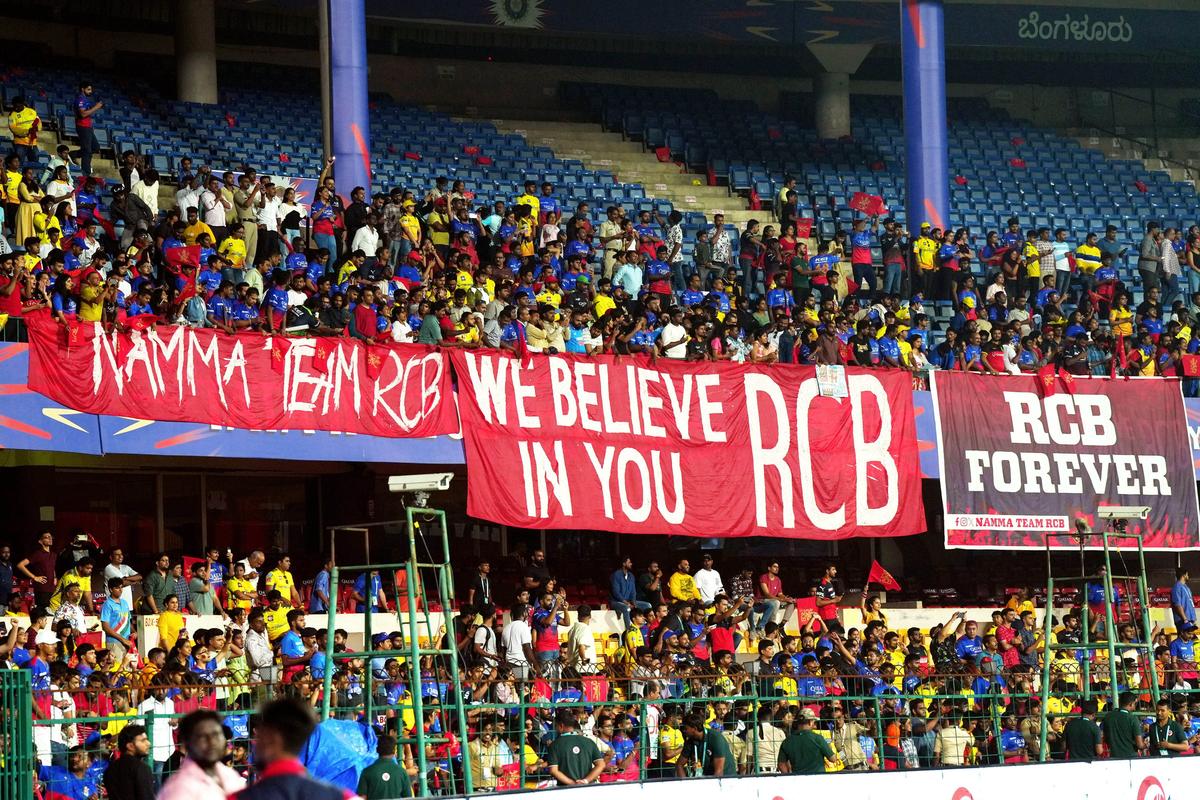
{"x":247,"y":381}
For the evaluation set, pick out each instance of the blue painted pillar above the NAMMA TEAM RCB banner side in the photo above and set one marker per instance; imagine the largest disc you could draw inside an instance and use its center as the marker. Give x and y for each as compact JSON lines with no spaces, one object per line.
{"x":351,"y":127}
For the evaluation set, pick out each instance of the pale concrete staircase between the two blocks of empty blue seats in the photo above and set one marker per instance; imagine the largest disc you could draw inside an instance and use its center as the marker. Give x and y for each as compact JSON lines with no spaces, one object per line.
{"x":632,"y":165}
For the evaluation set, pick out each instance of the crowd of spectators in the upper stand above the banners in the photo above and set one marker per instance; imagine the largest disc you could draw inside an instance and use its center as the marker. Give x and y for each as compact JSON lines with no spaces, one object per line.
{"x":539,"y":274}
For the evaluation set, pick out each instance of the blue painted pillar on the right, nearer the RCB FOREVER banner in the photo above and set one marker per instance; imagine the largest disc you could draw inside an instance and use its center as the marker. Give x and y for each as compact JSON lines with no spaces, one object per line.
{"x":923,"y":55}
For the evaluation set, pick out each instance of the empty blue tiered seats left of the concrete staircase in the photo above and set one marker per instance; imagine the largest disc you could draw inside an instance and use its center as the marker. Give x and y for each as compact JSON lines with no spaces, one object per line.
{"x":256,"y":128}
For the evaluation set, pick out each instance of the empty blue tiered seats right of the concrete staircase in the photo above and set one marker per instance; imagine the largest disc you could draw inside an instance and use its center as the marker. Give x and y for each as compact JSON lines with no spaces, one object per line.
{"x":1061,"y":184}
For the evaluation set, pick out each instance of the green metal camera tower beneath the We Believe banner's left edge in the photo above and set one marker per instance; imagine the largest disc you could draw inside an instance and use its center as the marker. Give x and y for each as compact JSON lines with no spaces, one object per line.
{"x":442,"y":573}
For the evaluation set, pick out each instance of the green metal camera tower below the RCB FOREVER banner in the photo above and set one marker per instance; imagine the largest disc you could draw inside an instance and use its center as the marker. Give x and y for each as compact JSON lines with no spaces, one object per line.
{"x":1111,"y":645}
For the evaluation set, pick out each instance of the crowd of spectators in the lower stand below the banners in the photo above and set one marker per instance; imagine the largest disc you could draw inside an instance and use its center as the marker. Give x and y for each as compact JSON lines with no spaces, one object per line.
{"x":700,"y":676}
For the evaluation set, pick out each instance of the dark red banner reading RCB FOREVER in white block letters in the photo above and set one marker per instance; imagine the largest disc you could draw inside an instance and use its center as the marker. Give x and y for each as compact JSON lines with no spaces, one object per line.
{"x":1022,"y":456}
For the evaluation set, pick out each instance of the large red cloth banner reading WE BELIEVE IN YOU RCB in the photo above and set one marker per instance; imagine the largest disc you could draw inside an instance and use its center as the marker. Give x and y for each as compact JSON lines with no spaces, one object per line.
{"x":641,"y":447}
